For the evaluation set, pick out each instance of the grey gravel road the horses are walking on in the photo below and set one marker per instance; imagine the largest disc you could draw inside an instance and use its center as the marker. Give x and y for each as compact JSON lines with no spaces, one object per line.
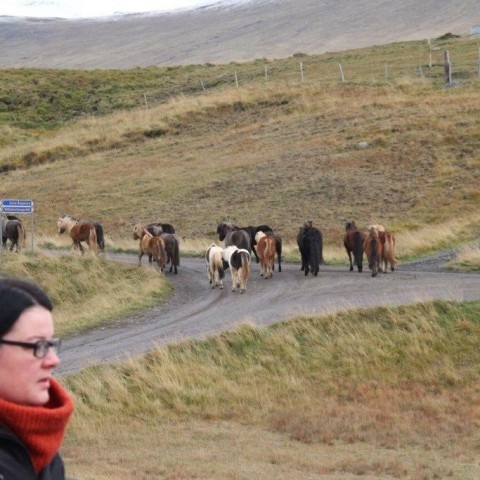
{"x":195,"y":310}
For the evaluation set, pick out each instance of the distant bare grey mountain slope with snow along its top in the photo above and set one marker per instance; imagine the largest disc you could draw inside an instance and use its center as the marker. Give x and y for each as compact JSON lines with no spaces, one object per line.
{"x":224,"y":32}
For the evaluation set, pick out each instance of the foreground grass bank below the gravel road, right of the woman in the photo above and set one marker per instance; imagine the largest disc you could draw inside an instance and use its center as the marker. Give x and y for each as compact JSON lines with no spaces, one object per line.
{"x":384,"y":393}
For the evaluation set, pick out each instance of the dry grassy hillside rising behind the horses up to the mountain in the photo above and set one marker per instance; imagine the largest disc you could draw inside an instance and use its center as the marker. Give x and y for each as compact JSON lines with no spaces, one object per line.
{"x":402,"y":152}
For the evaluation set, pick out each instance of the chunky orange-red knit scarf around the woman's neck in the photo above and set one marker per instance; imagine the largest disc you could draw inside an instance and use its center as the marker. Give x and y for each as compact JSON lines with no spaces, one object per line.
{"x":41,"y":428}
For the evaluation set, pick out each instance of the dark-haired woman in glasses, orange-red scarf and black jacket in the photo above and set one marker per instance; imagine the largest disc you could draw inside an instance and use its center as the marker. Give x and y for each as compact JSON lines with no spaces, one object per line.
{"x":34,"y":408}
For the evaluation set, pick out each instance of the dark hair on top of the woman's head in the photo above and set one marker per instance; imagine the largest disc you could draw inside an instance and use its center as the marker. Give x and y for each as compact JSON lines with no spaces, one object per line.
{"x":17,"y":295}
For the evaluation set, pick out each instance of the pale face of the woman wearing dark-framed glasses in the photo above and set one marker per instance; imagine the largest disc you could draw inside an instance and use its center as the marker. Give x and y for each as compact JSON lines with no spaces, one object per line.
{"x":25,"y":379}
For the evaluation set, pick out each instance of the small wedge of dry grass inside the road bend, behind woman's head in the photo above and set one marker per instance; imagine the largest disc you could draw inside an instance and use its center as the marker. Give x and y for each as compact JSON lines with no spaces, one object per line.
{"x":88,"y":292}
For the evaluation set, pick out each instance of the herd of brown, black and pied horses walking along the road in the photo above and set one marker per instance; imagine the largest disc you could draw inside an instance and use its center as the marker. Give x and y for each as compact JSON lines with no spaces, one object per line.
{"x":161,"y":245}
